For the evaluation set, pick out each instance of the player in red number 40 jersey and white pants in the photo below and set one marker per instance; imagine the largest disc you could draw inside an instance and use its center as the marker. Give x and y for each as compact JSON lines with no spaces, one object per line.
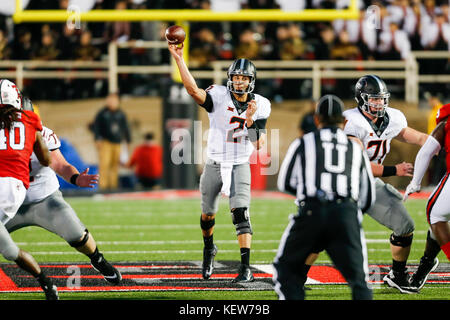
{"x":20,"y":135}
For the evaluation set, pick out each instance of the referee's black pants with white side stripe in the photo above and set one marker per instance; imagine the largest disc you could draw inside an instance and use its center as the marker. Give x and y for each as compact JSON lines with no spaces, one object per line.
{"x":332,"y":226}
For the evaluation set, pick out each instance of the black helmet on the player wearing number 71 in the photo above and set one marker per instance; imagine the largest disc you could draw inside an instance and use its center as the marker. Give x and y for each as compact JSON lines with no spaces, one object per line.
{"x":371,"y":86}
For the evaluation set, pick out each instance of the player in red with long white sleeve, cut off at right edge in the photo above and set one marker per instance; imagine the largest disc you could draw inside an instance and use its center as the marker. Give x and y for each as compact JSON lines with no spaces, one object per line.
{"x":438,"y":210}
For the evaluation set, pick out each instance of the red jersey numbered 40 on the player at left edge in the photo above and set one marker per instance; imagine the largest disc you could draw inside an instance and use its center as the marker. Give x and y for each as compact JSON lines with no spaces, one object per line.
{"x":16,"y":147}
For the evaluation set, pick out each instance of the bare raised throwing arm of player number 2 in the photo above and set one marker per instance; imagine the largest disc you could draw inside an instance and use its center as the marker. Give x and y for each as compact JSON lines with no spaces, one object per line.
{"x":189,"y":83}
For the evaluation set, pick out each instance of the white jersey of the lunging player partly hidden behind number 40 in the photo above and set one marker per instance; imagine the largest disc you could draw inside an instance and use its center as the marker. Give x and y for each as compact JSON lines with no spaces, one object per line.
{"x":43,"y":180}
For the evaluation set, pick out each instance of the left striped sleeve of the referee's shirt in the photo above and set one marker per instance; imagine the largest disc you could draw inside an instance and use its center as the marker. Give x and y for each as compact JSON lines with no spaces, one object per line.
{"x":288,"y":177}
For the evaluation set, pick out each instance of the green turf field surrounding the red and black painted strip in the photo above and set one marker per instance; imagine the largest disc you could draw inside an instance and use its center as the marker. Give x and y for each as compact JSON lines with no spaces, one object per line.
{"x":159,"y":230}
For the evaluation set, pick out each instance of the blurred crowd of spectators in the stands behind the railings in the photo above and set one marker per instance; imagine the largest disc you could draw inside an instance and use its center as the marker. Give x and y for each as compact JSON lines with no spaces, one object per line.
{"x":401,"y":26}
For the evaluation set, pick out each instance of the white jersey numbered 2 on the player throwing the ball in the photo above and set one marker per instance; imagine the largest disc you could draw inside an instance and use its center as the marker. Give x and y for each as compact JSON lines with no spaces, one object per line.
{"x":228,"y":139}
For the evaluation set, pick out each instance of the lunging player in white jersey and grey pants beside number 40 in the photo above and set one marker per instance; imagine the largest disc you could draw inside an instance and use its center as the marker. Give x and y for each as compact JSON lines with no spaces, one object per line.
{"x":45,"y":207}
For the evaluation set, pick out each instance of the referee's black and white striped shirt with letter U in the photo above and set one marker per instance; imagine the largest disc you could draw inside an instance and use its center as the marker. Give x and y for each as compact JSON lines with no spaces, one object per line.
{"x":326,"y":164}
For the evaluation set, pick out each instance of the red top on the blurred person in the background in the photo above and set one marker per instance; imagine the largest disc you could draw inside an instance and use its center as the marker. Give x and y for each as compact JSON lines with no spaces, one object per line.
{"x":148,"y":161}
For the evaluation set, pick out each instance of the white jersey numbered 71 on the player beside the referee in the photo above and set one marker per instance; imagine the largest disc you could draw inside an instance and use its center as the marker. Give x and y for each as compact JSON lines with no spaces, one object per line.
{"x":376,"y":142}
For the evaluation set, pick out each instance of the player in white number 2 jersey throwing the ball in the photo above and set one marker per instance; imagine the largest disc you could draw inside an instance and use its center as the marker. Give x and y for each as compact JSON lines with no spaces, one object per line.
{"x":237,"y":119}
